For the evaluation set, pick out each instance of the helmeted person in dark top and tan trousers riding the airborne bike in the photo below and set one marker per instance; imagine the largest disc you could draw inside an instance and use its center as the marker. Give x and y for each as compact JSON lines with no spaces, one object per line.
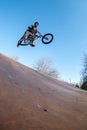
{"x":31,"y":31}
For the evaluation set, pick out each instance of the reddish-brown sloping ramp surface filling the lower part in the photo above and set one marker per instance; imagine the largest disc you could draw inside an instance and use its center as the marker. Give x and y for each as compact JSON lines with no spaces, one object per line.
{"x":32,"y":101}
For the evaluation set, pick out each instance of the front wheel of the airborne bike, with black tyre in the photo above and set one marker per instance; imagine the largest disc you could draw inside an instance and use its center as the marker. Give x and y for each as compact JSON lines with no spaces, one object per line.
{"x":47,"y":38}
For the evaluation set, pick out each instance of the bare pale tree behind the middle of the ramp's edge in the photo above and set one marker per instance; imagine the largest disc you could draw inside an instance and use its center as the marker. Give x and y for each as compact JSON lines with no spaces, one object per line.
{"x":45,"y":66}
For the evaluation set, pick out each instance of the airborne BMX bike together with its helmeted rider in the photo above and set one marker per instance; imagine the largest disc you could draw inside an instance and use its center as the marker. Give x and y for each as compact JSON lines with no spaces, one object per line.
{"x":32,"y":34}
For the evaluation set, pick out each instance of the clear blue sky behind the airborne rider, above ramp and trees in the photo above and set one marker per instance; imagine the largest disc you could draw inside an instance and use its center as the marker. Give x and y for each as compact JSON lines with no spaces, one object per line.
{"x":65,"y":19}
